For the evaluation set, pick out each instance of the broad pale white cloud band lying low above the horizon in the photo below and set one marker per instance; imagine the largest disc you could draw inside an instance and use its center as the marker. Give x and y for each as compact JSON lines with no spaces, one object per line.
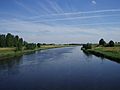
{"x":38,"y":32}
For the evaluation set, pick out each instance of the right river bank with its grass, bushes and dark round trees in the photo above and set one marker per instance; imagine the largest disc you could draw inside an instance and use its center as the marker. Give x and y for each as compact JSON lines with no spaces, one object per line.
{"x":110,"y":50}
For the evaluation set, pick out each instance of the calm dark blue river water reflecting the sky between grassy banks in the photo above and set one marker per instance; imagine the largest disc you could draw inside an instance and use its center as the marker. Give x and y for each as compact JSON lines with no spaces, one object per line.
{"x":59,"y":69}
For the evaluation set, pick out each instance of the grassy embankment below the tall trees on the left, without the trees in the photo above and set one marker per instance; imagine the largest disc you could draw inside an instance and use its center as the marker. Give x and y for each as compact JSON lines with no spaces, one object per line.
{"x":7,"y":53}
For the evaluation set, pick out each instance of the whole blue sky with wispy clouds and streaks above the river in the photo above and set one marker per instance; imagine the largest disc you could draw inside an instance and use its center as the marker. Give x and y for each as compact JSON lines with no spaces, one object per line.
{"x":61,"y":21}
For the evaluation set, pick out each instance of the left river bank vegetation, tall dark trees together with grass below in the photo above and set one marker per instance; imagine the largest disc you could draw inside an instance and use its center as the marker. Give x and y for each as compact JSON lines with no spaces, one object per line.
{"x":13,"y":46}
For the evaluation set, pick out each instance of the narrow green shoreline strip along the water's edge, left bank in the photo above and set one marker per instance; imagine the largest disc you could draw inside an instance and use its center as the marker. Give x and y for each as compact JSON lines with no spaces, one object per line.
{"x":13,"y":54}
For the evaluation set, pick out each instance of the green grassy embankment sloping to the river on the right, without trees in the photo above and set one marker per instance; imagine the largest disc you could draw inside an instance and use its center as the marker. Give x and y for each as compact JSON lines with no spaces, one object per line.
{"x":112,"y":53}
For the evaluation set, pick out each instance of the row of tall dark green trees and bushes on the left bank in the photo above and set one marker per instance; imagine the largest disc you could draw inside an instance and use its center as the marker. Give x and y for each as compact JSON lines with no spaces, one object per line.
{"x":10,"y":40}
